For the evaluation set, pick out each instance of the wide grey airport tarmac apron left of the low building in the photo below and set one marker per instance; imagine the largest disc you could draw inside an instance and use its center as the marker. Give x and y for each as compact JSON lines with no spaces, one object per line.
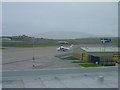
{"x":22,"y":58}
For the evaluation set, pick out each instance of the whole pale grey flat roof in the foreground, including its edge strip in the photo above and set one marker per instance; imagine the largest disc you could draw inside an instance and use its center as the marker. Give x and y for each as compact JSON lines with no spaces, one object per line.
{"x":102,"y":77}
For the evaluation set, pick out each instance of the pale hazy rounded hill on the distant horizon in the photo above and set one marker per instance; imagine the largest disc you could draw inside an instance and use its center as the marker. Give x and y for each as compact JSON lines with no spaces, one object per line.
{"x":65,"y":35}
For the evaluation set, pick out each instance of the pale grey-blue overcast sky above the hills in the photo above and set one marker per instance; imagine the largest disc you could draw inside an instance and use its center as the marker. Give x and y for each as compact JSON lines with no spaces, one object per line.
{"x":29,"y":18}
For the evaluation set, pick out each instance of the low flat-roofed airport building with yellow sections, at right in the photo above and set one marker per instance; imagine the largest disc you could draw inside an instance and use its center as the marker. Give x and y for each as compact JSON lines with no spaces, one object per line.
{"x":100,"y":55}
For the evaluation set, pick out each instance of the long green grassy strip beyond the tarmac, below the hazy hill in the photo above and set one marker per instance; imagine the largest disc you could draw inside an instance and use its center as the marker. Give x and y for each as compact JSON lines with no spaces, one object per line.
{"x":38,"y":42}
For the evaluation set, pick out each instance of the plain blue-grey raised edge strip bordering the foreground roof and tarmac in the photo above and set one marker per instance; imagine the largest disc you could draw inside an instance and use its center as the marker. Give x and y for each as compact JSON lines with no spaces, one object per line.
{"x":58,"y":71}
